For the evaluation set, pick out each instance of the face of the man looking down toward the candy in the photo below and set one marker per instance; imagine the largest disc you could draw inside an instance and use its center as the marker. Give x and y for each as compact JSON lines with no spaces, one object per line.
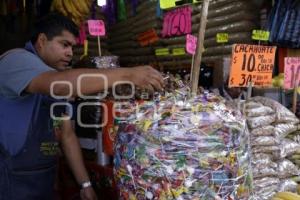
{"x":57,"y":52}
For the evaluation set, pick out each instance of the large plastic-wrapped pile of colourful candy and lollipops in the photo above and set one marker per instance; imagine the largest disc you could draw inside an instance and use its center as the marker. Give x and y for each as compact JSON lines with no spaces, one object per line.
{"x":176,"y":147}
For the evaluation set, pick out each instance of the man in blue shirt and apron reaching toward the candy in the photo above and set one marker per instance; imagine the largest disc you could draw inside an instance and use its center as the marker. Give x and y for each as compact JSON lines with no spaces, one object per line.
{"x":27,"y":141}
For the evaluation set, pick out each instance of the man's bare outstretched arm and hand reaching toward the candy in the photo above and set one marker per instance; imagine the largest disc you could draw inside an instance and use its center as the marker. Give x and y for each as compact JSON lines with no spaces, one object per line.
{"x":144,"y":77}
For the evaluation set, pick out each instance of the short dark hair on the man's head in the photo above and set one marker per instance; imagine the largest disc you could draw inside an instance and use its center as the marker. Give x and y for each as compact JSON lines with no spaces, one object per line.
{"x":53,"y":25}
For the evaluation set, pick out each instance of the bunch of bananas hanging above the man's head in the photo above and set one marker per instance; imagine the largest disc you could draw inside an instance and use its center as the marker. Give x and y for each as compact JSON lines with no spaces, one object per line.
{"x":77,"y":10}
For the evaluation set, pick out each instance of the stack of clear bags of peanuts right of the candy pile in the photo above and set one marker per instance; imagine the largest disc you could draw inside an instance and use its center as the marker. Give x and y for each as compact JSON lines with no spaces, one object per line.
{"x":270,"y":123}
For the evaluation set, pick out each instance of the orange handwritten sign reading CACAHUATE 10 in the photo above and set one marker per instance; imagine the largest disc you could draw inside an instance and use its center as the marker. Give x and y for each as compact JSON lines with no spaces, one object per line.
{"x":251,"y":63}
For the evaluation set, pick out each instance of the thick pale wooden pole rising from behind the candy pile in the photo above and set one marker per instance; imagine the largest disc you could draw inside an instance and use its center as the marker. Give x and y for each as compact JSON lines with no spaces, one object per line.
{"x":198,"y":56}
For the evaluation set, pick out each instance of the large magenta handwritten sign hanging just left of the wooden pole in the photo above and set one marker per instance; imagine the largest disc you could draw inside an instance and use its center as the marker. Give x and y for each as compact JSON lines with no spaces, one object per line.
{"x":177,"y":22}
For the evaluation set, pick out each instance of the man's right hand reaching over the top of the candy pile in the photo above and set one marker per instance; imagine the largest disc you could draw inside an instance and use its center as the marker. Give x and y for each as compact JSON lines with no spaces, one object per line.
{"x":146,"y":77}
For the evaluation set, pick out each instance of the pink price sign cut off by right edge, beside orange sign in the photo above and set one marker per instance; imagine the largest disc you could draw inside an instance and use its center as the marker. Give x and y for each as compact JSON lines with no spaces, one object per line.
{"x":291,"y":72}
